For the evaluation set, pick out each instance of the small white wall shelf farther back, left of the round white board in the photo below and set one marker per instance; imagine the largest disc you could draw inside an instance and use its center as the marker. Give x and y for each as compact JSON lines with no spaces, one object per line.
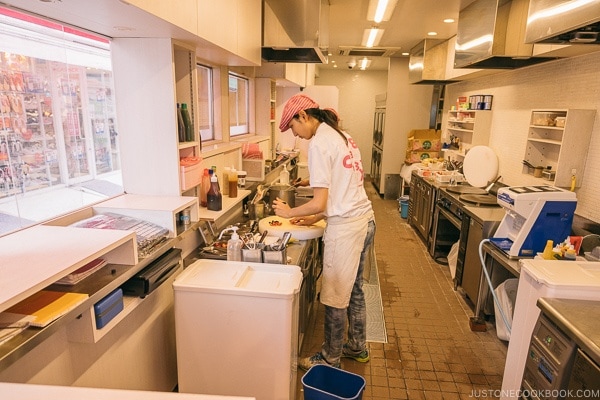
{"x":467,"y":128}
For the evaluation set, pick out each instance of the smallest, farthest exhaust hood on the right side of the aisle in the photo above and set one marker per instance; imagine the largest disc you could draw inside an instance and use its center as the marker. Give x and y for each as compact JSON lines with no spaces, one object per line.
{"x":427,"y":62}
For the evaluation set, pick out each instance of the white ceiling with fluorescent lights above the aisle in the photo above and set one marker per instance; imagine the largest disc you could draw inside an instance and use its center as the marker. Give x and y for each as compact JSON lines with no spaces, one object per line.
{"x":410,"y":23}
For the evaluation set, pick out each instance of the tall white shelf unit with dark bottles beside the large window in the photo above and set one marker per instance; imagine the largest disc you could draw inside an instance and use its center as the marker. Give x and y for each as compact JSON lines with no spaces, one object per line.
{"x":151,"y":76}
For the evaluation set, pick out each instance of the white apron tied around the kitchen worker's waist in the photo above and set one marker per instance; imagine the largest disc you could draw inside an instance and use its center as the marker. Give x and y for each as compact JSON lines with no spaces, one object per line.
{"x":344,"y":239}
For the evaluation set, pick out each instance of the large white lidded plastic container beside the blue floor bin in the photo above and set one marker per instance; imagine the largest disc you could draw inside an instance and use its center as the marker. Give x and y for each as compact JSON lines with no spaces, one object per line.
{"x":236,"y":327}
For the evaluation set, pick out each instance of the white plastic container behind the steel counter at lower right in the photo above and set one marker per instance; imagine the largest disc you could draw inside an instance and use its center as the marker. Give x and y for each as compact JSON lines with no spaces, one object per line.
{"x":543,"y":278}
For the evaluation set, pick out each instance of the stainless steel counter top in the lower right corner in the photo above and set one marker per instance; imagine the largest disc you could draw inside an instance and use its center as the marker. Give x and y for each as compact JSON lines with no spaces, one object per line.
{"x":579,"y":319}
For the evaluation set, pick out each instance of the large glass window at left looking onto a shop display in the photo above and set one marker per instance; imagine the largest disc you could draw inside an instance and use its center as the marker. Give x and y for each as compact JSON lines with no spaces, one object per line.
{"x":59,"y":147}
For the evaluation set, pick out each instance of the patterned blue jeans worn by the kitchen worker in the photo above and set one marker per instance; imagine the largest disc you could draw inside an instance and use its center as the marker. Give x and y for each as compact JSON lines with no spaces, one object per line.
{"x":355,"y":314}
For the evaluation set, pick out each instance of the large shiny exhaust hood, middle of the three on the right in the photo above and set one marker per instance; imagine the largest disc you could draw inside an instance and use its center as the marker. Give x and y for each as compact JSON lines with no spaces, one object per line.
{"x":491,"y":34}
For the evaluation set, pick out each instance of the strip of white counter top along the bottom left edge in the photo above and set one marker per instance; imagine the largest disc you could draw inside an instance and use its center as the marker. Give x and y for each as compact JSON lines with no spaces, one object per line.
{"x":14,"y":391}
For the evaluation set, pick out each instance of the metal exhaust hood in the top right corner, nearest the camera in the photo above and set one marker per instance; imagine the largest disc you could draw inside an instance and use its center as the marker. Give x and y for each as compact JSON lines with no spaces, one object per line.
{"x":563,"y":22}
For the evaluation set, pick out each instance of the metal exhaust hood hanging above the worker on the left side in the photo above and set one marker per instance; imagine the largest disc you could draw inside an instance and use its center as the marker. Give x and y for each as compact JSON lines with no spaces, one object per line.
{"x":294,"y":31}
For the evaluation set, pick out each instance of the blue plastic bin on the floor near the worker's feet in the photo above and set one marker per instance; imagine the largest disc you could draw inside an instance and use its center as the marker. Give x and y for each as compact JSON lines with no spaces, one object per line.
{"x":322,"y":382}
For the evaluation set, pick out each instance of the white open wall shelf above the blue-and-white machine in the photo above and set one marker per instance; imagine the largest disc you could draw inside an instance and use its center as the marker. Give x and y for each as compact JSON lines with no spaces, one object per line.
{"x":558,"y":141}
